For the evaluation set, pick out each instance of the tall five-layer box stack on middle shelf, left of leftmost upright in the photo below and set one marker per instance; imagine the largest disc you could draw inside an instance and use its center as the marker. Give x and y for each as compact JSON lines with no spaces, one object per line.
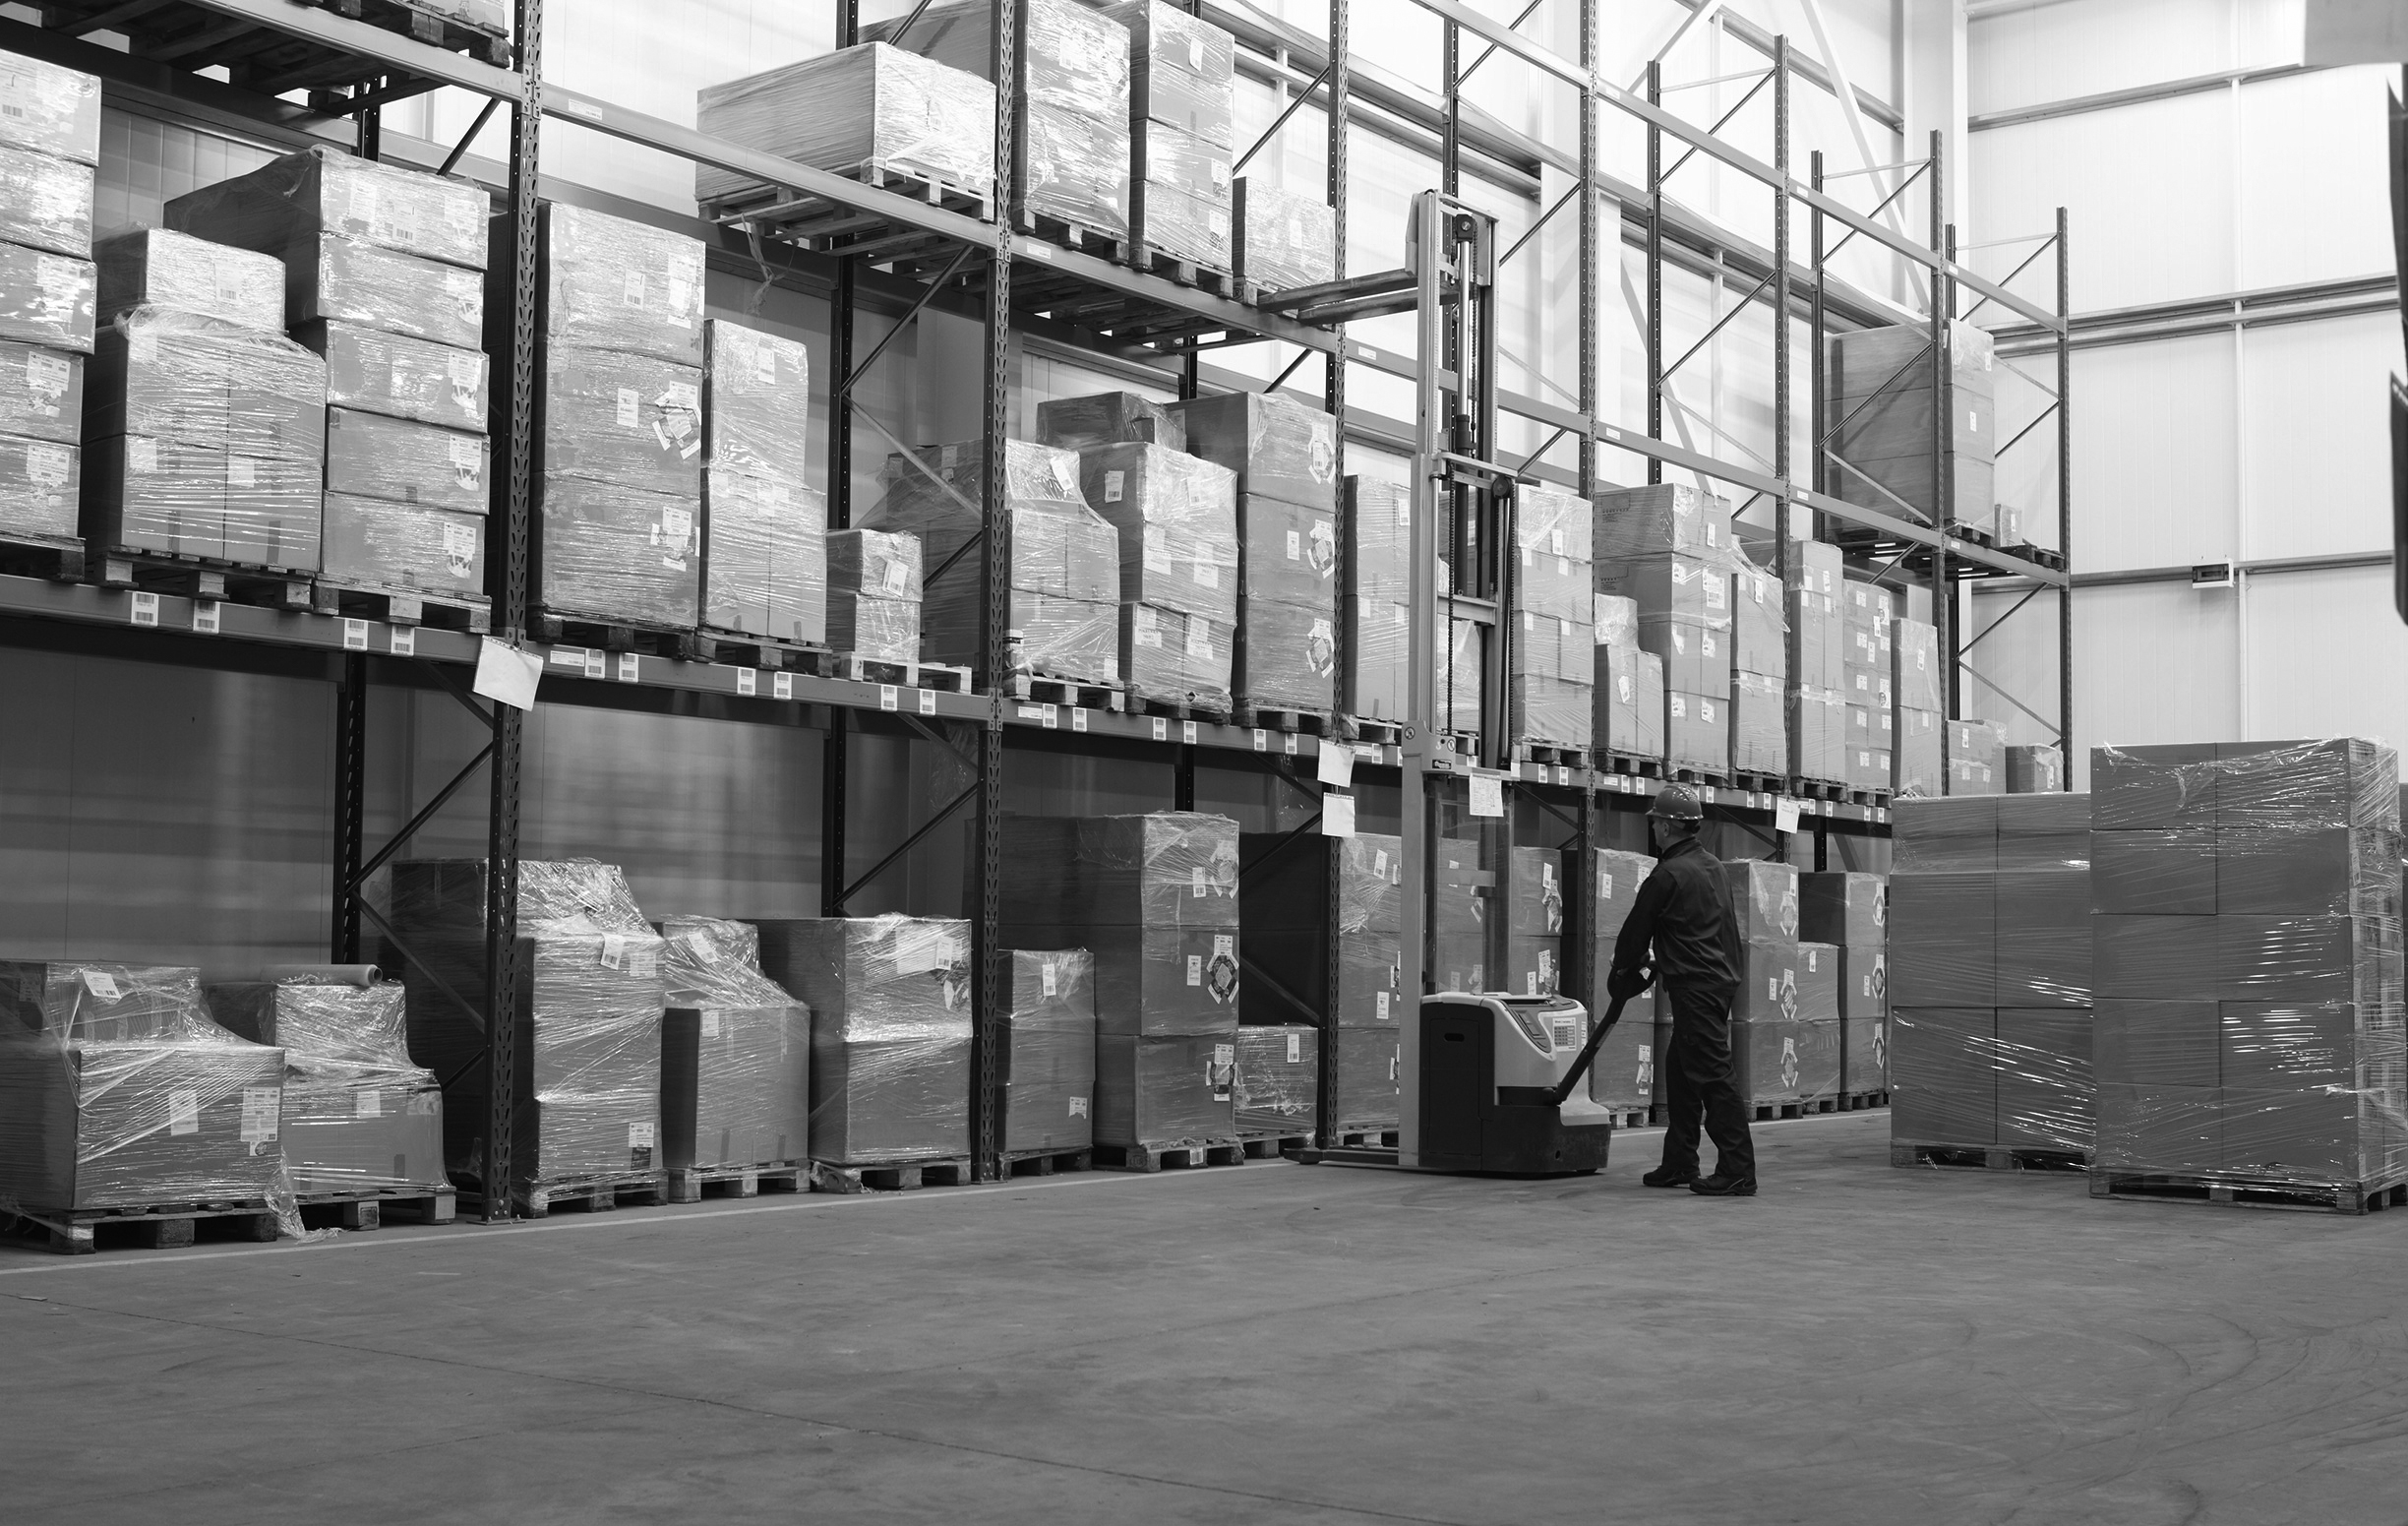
{"x":384,"y":278}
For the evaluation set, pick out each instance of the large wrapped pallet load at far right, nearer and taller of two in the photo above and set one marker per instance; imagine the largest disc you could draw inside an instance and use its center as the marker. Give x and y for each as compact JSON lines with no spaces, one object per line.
{"x":2248,"y":935}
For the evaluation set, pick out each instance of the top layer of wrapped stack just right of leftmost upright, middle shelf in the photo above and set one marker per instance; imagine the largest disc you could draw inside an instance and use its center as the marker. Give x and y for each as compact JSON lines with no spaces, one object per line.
{"x":620,"y":285}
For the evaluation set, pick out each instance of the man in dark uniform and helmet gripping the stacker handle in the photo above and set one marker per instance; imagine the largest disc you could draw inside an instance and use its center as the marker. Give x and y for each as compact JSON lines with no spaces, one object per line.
{"x":1684,"y":911}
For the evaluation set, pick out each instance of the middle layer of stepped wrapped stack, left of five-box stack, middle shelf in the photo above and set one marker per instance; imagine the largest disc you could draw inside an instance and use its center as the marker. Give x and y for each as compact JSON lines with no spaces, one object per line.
{"x":203,"y":381}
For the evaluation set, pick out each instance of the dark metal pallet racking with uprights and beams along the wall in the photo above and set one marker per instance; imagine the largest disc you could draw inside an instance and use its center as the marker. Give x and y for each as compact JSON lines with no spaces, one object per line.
{"x":902,"y":256}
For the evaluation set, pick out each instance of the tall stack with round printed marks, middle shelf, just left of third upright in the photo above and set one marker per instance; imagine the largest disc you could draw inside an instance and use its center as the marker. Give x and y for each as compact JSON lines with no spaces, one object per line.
{"x":1285,"y":456}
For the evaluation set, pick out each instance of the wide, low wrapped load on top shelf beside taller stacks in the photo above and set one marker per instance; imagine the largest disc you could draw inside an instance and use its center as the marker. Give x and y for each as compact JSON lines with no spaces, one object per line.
{"x":856,"y":110}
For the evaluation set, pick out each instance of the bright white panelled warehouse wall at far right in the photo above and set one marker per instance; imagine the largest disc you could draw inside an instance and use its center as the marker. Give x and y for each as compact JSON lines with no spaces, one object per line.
{"x":2253,"y":444}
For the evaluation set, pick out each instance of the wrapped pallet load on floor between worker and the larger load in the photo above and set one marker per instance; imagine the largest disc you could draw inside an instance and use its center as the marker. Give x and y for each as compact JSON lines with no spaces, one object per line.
{"x":1990,"y":983}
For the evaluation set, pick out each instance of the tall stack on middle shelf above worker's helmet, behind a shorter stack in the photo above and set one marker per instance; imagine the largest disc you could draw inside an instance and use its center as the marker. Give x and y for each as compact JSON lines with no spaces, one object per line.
{"x":1670,"y":552}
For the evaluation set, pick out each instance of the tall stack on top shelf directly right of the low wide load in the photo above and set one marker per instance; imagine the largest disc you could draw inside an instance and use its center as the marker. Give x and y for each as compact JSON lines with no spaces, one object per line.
{"x":1070,"y":129}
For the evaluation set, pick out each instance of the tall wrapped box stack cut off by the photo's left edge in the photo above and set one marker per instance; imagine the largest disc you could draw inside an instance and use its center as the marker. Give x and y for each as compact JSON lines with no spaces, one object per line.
{"x":49,"y":143}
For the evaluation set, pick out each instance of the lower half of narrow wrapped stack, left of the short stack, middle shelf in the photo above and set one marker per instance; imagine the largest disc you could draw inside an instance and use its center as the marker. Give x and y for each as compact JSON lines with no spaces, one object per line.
{"x":765,"y":557}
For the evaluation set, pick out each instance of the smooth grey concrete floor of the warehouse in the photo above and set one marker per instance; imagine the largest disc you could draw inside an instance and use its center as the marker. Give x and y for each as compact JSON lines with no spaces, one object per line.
{"x":1299,"y":1347}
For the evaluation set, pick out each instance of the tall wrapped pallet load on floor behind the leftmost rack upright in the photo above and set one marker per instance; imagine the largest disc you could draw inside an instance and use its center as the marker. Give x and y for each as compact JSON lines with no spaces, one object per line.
{"x":586,"y":1089}
